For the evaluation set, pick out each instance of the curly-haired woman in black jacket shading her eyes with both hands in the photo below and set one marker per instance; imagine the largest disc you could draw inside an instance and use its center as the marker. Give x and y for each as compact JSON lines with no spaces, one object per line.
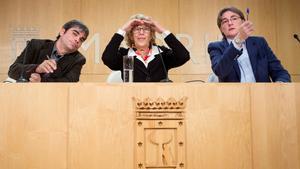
{"x":139,"y":34}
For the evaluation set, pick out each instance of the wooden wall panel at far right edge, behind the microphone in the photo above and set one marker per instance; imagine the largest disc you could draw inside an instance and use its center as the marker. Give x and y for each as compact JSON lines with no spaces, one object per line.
{"x":287,"y":24}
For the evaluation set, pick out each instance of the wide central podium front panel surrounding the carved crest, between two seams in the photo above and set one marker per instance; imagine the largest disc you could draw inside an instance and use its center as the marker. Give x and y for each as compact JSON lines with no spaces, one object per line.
{"x":218,"y":129}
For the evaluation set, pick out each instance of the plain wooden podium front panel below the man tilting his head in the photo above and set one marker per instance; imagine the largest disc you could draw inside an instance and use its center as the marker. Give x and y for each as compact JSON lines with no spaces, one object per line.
{"x":33,"y":126}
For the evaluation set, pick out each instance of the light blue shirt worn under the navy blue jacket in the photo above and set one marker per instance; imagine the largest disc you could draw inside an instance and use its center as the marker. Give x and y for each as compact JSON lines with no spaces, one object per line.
{"x":244,"y":63}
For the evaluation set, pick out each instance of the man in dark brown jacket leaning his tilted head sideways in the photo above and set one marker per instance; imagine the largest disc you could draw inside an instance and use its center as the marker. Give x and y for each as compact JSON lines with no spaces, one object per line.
{"x":53,"y":61}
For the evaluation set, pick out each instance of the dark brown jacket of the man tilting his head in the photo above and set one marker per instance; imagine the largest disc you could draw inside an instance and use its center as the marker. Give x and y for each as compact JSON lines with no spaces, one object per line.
{"x":68,"y":67}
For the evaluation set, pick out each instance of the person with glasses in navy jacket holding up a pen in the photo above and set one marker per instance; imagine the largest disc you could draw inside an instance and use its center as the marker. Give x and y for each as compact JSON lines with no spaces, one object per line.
{"x":240,"y":57}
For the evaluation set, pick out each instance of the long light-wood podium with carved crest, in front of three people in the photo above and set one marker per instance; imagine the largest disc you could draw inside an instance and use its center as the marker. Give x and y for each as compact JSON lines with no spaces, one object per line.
{"x":97,"y":125}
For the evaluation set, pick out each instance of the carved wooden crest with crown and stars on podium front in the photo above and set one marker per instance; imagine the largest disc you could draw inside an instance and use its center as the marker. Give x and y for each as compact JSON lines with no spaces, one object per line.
{"x":160,"y":133}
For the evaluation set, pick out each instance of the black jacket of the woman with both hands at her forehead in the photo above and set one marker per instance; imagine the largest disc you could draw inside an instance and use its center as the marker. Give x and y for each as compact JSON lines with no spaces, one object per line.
{"x":174,"y":57}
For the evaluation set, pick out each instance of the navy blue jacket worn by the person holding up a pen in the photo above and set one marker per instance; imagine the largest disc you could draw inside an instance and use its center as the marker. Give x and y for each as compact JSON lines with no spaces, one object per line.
{"x":265,"y":65}
